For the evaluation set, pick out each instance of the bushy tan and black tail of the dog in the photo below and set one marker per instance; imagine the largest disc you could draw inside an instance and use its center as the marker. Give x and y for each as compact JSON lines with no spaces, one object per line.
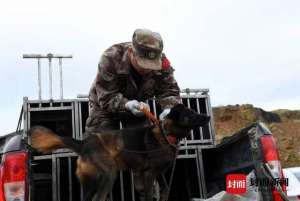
{"x":45,"y":141}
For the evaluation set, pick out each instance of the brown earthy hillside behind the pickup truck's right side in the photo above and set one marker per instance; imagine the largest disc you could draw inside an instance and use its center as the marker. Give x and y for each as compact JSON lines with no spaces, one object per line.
{"x":284,"y":124}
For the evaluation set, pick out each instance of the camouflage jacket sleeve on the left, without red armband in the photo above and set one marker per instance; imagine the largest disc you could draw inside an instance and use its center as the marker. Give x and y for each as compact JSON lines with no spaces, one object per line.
{"x":107,"y":87}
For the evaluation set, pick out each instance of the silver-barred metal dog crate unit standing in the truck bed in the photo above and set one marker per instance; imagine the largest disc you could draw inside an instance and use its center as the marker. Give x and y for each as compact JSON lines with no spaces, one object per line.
{"x":53,"y":176}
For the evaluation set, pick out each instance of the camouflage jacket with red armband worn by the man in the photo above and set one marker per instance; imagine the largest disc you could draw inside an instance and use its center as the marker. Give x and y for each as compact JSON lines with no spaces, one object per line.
{"x":114,"y":85}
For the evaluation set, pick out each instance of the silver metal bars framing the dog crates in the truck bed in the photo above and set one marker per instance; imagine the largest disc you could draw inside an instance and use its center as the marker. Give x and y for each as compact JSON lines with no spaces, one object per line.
{"x":189,"y":149}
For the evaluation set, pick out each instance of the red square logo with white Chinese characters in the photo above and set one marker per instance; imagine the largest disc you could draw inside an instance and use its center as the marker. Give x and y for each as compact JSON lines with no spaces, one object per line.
{"x":236,"y":183}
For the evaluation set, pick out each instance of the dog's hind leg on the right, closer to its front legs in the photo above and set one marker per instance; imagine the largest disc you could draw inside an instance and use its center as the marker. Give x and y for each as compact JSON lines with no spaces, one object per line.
{"x":105,"y":185}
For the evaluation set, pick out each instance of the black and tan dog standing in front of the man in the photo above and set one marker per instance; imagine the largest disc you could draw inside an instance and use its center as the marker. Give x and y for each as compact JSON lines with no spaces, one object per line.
{"x":148,"y":151}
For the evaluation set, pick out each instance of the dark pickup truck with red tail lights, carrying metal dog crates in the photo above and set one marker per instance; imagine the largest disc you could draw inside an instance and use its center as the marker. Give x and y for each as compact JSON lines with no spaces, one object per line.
{"x":199,"y":173}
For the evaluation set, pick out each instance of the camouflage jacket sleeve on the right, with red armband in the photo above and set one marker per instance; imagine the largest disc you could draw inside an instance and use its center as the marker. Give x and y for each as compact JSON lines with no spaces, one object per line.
{"x":167,"y":92}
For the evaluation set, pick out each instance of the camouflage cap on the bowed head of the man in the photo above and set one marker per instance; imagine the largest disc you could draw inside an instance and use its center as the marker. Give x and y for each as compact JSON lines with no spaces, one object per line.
{"x":148,"y":47}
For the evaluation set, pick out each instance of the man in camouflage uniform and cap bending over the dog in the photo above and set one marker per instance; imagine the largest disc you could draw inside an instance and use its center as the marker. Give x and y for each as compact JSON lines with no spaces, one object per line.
{"x":128,"y":74}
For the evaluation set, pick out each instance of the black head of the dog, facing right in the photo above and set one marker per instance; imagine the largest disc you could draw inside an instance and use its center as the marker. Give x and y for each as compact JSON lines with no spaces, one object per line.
{"x":181,"y":120}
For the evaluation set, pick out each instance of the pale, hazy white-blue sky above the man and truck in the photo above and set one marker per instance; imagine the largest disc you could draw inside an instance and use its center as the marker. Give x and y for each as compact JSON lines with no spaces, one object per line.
{"x":242,"y":51}
